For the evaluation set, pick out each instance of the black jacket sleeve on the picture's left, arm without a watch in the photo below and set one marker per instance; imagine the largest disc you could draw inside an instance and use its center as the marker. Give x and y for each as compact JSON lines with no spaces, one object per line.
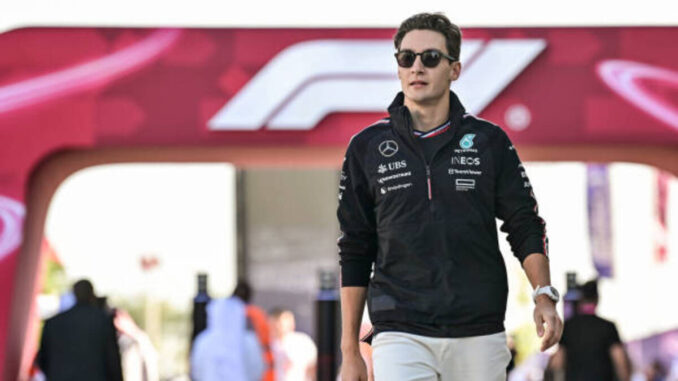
{"x":358,"y":240}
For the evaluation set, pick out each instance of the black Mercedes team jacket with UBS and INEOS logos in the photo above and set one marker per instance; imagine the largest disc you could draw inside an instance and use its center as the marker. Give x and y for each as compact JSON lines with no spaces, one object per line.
{"x":429,"y":229}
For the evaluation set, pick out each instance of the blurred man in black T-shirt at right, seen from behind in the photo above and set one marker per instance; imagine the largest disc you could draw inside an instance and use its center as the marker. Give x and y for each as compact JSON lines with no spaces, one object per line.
{"x":590,"y":348}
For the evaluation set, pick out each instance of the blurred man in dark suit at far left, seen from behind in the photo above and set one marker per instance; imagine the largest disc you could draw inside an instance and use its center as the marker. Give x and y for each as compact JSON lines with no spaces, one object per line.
{"x":80,"y":343}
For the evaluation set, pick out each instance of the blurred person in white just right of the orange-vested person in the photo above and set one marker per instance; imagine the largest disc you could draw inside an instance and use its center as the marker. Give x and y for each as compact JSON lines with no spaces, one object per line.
{"x":295,"y":354}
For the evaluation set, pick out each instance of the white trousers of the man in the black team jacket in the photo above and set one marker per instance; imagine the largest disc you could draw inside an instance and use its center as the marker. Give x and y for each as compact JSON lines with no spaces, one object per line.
{"x":399,"y":356}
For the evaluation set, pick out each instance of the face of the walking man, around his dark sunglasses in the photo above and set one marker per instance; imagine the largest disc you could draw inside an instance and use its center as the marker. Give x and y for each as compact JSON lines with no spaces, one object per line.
{"x":421,"y":84}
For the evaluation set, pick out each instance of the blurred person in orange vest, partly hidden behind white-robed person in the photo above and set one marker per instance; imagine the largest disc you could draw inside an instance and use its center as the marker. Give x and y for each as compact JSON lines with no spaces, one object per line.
{"x":257,"y":320}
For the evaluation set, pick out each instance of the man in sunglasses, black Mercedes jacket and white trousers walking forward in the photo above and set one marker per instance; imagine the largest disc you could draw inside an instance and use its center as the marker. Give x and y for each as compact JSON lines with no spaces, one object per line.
{"x":419,"y":193}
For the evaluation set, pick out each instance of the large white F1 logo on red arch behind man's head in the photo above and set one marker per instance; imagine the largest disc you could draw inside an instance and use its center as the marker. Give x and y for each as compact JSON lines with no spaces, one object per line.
{"x":311,"y":79}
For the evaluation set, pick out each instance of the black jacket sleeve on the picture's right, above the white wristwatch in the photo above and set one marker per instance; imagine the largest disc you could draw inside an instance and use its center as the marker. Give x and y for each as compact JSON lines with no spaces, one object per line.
{"x":515,"y":203}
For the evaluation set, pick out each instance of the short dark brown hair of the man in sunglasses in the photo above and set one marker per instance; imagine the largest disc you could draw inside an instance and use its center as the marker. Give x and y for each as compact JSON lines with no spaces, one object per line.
{"x":437,"y":22}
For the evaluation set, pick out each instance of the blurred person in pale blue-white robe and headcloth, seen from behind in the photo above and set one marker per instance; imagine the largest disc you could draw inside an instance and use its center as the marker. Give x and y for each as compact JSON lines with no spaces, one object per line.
{"x":226,"y":349}
